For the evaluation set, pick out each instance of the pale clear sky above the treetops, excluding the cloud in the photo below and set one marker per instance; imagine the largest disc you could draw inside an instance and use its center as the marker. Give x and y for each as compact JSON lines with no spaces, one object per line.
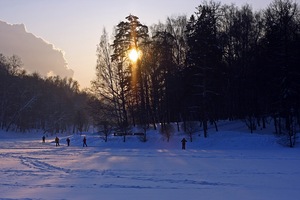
{"x":75,"y":26}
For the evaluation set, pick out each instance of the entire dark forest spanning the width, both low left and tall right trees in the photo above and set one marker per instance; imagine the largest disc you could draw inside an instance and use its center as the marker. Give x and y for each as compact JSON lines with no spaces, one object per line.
{"x":222,"y":63}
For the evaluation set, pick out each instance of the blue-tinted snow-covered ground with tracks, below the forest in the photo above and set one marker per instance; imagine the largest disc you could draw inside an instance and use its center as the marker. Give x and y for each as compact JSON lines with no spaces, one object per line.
{"x":231,"y":164}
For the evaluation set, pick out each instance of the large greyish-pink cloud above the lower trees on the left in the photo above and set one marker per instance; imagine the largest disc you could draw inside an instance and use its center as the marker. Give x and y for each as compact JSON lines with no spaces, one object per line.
{"x":36,"y":54}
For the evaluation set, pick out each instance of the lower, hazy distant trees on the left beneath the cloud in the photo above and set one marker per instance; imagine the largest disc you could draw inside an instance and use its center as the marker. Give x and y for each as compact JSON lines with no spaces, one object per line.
{"x":30,"y":102}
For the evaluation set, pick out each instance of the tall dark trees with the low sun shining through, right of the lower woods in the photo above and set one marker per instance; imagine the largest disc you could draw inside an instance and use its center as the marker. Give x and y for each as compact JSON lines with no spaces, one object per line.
{"x":223,"y":62}
